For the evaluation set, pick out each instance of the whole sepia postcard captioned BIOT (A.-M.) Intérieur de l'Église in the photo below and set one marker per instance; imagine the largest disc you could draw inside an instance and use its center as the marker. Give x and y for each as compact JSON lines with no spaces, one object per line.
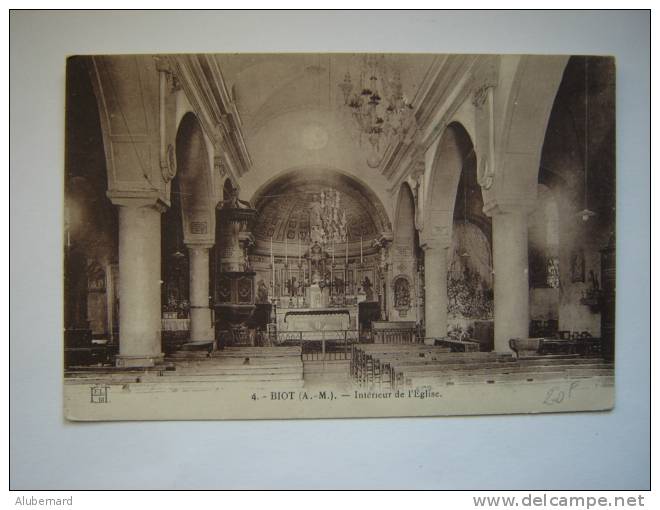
{"x":338,"y":235}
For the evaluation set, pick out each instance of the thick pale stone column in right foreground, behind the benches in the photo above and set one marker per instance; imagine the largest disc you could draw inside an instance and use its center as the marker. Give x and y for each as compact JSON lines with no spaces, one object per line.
{"x":511,"y":282}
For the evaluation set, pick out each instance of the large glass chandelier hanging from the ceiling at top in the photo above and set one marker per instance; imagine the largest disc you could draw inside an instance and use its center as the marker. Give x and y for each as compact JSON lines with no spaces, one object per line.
{"x":379,"y":106}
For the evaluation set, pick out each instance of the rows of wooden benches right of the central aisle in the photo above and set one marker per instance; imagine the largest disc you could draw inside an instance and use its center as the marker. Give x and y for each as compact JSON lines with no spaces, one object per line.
{"x":398,"y":366}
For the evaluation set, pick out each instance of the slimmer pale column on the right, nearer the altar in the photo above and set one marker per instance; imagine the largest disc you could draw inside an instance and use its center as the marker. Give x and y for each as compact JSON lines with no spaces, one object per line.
{"x":435,"y":283}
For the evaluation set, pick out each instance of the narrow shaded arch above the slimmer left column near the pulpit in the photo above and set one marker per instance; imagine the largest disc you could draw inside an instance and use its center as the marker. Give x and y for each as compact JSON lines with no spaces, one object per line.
{"x":194,"y":181}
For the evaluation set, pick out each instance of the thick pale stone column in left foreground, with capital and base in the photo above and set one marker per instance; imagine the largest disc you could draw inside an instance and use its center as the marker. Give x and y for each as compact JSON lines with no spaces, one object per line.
{"x":139,"y":279}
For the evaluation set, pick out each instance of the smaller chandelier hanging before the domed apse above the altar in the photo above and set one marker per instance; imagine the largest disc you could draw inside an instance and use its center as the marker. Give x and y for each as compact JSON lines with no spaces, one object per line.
{"x":327,"y":219}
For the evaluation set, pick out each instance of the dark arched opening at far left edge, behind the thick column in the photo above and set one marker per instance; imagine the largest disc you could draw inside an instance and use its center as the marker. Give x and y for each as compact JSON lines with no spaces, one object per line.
{"x":90,"y":219}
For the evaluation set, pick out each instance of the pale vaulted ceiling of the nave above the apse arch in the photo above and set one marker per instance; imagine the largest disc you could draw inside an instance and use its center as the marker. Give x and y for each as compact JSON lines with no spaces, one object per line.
{"x":293,"y":114}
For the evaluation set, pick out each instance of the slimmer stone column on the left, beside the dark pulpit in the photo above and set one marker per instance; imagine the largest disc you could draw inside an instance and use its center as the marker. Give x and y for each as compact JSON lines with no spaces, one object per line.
{"x":201,"y":330}
